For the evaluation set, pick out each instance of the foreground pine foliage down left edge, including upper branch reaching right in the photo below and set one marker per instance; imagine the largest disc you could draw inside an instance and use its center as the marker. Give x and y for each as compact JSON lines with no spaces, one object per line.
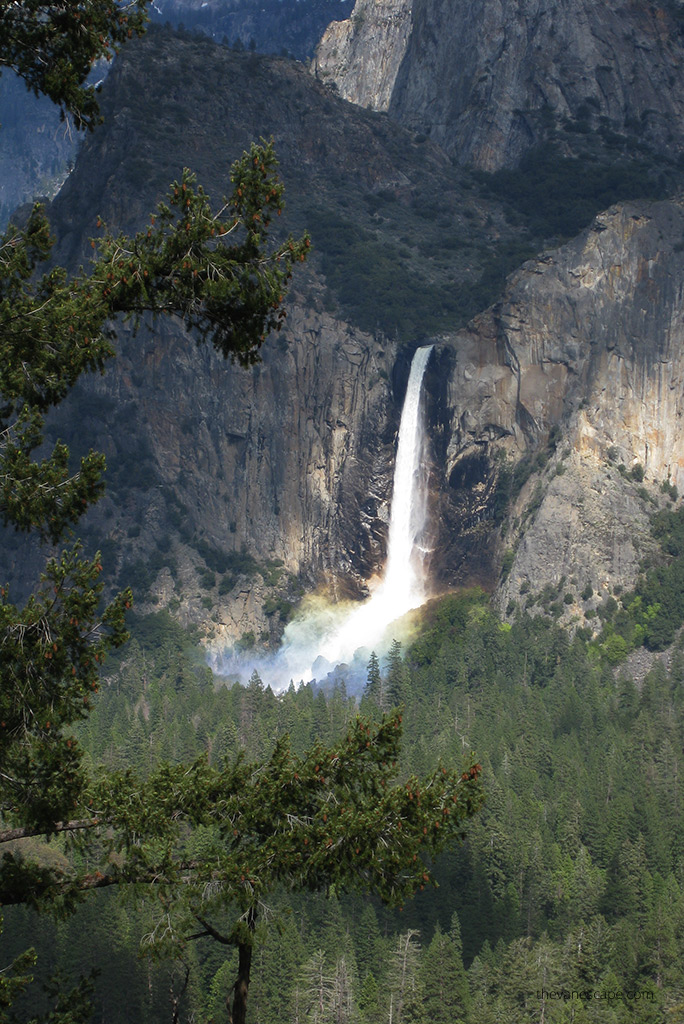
{"x":54,"y":331}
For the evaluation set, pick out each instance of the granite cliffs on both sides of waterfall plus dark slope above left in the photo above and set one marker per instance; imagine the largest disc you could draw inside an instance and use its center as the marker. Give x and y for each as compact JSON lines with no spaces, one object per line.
{"x":233,"y":492}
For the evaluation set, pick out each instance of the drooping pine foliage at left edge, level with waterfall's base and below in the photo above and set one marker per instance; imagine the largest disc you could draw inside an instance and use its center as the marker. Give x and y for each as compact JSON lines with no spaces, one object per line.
{"x":53,"y":651}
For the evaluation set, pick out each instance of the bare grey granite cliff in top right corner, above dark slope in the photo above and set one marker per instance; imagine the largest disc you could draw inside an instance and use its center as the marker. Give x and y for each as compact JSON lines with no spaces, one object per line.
{"x":486,"y":80}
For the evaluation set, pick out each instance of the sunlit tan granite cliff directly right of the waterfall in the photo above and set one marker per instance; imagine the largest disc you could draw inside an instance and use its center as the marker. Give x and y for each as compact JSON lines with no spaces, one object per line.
{"x":581,"y":364}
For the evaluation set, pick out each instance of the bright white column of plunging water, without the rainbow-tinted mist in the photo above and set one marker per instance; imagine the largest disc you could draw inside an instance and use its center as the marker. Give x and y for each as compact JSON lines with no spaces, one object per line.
{"x":403,"y":586}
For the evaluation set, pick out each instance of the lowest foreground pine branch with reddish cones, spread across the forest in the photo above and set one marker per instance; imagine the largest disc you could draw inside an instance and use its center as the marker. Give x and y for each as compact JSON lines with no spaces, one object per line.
{"x":305,"y":822}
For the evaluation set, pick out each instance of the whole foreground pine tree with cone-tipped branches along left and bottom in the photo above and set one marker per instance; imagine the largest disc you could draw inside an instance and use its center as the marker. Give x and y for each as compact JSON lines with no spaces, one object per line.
{"x":208,"y":841}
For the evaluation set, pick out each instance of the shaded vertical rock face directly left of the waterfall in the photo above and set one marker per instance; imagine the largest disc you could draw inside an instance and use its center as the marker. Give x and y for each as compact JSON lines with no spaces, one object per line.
{"x":275,"y":473}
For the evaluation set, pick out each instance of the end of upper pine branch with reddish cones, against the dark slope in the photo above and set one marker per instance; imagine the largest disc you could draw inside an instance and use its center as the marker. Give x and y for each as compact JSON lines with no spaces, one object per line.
{"x":211,"y":269}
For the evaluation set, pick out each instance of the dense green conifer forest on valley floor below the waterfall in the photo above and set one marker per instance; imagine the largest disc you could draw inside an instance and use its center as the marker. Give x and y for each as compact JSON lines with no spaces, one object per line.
{"x":570,"y":882}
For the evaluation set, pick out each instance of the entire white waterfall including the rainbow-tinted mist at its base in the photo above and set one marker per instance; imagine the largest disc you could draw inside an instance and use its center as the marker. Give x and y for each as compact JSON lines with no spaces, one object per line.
{"x":329,"y":644}
